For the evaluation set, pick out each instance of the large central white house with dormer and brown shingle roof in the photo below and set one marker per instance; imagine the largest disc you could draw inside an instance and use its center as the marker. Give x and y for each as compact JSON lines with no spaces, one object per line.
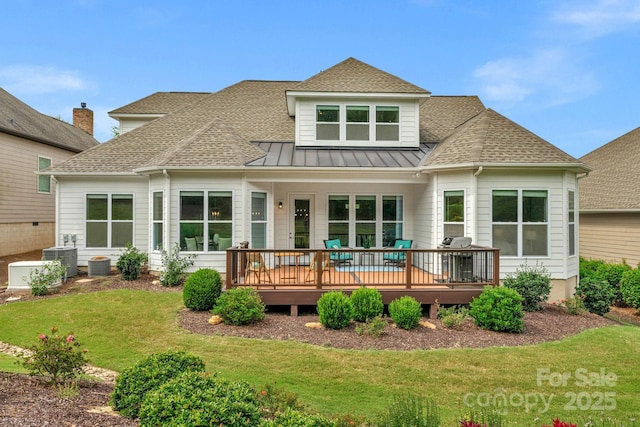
{"x":352,"y":153}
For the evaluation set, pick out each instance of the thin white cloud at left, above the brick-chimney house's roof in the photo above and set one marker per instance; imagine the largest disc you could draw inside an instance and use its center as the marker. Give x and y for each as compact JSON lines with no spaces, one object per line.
{"x":30,"y":79}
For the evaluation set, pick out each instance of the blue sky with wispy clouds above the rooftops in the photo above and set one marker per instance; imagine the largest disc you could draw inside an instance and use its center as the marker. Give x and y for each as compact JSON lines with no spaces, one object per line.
{"x":569,"y":71}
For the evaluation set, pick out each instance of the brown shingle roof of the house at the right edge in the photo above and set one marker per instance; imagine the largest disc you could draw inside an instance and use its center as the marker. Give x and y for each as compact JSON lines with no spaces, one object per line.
{"x":613,"y":182}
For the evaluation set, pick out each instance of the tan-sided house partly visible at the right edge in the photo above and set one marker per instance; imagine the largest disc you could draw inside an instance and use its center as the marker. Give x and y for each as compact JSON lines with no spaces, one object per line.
{"x":610,"y":202}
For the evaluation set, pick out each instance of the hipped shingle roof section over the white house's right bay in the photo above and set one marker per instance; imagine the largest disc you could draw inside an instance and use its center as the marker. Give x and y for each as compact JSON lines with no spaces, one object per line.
{"x":491,"y":138}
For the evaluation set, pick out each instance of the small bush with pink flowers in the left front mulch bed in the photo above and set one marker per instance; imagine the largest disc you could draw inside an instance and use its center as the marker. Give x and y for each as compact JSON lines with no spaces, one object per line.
{"x":55,"y":356}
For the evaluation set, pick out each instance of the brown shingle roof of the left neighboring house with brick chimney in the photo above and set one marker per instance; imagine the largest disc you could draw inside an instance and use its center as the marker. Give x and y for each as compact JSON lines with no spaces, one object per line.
{"x":17,"y":118}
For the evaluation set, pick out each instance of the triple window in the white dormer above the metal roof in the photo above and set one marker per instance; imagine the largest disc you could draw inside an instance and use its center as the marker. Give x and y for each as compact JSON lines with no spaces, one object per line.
{"x":357,"y":123}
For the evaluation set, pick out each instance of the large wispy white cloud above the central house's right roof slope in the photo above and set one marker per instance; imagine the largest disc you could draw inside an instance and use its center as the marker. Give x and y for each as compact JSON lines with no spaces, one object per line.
{"x":546,"y":77}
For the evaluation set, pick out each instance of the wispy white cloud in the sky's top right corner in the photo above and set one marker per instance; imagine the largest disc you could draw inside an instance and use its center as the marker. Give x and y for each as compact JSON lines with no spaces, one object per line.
{"x":601,"y":17}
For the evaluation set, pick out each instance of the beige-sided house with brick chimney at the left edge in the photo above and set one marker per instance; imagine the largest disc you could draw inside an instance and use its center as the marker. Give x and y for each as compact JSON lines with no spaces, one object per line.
{"x":31,"y":141}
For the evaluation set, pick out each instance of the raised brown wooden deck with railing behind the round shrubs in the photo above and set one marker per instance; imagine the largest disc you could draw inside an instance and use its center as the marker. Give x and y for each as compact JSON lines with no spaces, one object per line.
{"x":299,"y":277}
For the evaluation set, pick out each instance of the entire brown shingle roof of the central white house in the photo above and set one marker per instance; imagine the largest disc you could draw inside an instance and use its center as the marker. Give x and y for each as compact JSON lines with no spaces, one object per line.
{"x":247,"y":124}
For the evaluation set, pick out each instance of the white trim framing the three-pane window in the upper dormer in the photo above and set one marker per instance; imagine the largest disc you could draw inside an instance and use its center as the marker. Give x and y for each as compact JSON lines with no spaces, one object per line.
{"x":372,"y":123}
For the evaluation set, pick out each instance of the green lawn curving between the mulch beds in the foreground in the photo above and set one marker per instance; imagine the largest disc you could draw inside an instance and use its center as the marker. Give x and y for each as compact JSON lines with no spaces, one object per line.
{"x":121,"y":326}
